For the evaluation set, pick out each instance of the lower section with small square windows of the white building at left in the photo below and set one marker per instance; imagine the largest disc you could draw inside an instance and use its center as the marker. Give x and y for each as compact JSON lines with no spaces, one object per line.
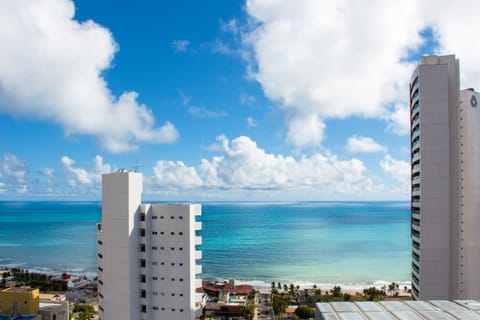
{"x":173,"y":264}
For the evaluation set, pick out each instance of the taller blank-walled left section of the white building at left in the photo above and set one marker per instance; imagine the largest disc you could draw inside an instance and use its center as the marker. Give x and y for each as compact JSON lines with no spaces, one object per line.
{"x":121,"y":196}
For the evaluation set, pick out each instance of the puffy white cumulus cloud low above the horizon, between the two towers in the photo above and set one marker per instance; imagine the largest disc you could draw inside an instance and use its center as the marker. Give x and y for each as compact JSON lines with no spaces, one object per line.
{"x":243,"y":166}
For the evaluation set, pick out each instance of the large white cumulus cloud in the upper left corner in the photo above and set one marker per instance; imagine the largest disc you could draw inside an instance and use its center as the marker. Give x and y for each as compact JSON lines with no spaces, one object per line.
{"x":51,"y":68}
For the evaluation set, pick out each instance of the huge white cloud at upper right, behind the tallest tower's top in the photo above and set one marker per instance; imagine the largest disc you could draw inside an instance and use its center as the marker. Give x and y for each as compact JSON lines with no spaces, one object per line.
{"x":337,"y":59}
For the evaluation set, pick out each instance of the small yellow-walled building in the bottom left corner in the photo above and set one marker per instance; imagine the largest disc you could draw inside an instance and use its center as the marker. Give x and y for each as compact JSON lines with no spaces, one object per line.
{"x":27,"y":300}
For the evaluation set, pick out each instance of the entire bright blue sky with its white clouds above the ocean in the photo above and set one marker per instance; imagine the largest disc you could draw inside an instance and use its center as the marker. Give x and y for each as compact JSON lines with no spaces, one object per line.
{"x":258,"y":100}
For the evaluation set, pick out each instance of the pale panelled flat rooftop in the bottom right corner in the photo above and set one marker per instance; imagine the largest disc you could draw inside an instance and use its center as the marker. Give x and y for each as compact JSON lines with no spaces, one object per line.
{"x":405,"y":310}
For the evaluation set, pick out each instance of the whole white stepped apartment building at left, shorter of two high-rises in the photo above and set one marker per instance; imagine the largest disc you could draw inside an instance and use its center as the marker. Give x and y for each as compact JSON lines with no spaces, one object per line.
{"x":146,"y":254}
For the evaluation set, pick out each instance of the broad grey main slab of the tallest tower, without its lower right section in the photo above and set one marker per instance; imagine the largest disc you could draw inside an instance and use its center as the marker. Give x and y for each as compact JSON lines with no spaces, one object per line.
{"x":438,"y":100}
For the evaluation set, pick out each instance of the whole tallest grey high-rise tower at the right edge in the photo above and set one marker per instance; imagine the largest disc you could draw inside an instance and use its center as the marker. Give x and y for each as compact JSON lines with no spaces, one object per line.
{"x":445,"y":159}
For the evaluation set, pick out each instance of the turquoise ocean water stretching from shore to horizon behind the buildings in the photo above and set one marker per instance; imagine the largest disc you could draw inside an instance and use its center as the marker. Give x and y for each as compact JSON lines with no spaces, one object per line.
{"x":320,"y":242}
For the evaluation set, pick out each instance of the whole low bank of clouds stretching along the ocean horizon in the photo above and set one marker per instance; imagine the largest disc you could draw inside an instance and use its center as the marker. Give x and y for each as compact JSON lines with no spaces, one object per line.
{"x":242,"y":169}
